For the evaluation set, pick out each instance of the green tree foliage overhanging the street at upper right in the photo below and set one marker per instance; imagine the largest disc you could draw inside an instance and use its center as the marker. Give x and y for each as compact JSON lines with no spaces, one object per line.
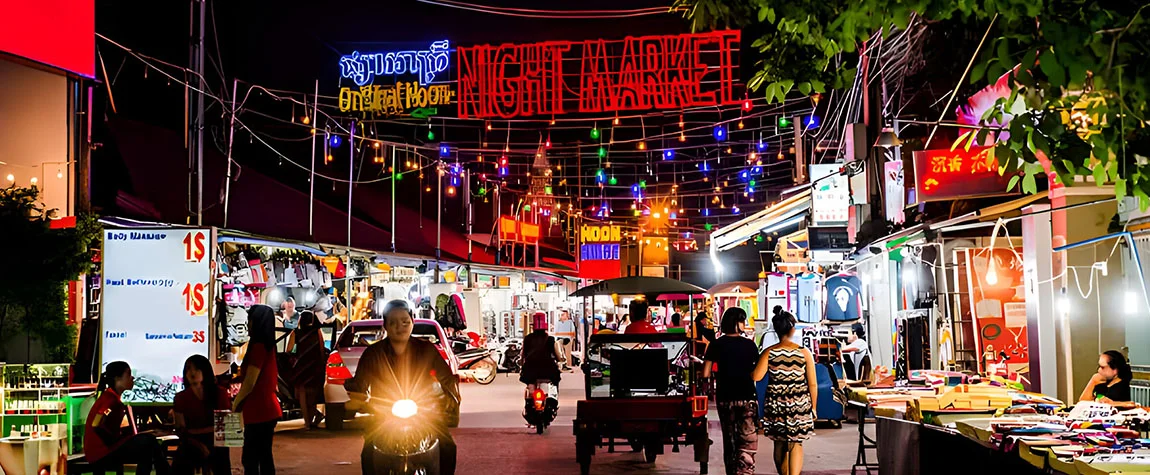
{"x":1078,"y":72}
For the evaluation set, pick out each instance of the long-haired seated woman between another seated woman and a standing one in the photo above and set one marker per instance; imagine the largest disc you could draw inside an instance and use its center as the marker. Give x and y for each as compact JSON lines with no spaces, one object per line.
{"x":195,"y":410}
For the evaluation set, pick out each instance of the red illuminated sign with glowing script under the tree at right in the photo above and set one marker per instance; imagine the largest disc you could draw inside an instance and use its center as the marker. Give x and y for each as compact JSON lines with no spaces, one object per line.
{"x":942,"y":175}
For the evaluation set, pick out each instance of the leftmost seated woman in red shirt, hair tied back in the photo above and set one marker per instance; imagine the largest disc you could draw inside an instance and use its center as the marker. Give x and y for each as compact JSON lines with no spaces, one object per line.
{"x":105,"y":443}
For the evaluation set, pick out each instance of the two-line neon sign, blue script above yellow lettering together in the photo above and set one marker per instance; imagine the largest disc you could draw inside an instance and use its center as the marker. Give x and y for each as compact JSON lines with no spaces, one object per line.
{"x":419,"y":98}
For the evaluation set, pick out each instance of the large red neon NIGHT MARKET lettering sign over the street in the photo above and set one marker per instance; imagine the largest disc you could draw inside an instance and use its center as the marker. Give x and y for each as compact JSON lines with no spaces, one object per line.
{"x":599,"y":76}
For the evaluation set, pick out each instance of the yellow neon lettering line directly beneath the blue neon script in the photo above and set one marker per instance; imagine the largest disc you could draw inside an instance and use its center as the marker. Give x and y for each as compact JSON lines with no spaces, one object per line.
{"x":396,"y":99}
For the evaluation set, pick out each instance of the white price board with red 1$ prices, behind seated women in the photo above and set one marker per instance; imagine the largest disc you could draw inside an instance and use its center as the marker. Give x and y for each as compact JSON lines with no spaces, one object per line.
{"x":157,"y":302}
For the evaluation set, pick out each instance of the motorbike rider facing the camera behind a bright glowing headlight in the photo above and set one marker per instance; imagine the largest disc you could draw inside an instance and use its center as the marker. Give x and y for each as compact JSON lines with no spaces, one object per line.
{"x":398,"y":367}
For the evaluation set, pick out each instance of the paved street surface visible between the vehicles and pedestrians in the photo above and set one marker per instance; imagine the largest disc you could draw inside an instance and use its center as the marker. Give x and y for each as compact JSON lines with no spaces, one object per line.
{"x":493,"y":439}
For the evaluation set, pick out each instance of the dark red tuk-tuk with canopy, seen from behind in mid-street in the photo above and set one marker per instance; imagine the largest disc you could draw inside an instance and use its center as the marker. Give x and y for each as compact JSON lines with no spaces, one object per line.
{"x":641,"y":389}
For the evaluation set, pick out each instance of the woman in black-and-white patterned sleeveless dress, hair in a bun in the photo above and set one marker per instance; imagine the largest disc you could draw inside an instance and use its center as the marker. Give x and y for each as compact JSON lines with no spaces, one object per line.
{"x":788,"y":413}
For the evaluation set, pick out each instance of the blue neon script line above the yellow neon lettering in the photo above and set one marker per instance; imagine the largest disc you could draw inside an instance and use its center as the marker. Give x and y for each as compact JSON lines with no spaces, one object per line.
{"x":363,"y":68}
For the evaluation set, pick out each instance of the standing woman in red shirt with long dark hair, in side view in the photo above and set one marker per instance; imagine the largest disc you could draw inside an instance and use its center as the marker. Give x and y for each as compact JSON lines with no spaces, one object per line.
{"x":257,"y":400}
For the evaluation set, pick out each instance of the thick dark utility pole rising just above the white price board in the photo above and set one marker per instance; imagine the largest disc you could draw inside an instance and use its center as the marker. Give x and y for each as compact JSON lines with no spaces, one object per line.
{"x":196,"y":124}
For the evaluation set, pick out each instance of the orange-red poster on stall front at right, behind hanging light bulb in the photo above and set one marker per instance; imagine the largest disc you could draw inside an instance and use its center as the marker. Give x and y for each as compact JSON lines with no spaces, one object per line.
{"x":999,"y":301}
